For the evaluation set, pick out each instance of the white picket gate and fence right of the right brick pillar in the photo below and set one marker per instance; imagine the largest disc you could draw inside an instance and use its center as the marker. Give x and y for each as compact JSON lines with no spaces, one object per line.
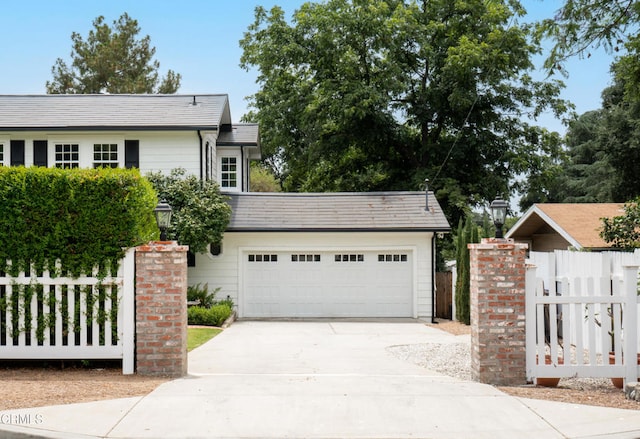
{"x":579,"y":307}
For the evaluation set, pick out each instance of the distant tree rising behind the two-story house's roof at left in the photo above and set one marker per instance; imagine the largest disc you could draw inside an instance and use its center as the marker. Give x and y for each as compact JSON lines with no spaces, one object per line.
{"x":111,"y":60}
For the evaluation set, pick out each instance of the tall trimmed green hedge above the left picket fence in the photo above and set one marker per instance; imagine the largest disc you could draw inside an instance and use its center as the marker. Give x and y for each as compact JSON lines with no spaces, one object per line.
{"x":82,"y":217}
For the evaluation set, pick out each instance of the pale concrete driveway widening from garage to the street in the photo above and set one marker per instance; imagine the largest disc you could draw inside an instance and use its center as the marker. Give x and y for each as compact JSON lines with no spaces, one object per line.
{"x":326,"y":379}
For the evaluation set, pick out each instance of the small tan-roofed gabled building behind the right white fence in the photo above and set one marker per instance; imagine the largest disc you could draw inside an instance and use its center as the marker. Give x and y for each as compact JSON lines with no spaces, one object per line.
{"x":547,"y":227}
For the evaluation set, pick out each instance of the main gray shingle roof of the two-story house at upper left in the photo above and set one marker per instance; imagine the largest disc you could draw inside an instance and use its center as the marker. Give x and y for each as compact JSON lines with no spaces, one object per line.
{"x":84,"y":112}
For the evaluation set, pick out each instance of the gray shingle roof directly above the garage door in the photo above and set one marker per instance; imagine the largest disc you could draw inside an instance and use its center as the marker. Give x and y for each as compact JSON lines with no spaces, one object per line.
{"x":373,"y":211}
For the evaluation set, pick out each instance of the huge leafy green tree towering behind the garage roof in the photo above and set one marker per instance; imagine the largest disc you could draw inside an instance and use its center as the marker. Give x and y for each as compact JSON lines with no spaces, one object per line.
{"x":380,"y":95}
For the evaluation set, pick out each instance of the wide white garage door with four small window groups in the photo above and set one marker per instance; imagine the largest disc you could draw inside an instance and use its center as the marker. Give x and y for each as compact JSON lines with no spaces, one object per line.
{"x":327,"y":284}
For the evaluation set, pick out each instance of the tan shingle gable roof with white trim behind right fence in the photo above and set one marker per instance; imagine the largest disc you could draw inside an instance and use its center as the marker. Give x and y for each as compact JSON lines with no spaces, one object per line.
{"x":578,"y":223}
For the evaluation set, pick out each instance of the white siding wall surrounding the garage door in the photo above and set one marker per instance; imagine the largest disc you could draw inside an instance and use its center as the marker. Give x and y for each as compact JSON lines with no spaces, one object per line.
{"x":224,"y":270}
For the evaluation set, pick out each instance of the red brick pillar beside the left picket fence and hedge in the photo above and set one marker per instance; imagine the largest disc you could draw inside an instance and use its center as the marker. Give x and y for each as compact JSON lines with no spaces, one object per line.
{"x":161,"y":309}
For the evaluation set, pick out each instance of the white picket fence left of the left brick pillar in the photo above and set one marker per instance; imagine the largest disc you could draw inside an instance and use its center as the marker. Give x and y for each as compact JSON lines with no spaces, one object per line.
{"x":80,"y":318}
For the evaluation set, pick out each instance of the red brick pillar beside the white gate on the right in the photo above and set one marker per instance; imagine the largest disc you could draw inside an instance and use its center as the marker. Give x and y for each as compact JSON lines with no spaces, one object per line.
{"x":498,"y":312}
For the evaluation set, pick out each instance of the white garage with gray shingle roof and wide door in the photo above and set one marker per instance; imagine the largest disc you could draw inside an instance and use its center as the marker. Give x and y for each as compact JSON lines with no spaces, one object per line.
{"x":287,"y":255}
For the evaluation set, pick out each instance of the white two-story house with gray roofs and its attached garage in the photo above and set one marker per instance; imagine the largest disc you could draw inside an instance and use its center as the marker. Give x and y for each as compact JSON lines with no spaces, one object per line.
{"x":283,"y":255}
